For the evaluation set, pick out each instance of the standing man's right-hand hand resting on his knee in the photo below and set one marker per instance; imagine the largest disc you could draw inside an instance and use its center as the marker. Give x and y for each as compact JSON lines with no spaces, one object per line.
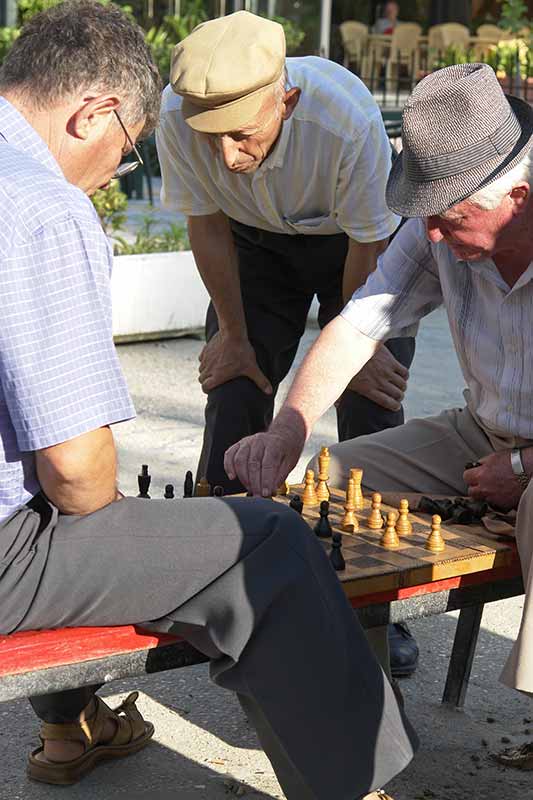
{"x":382,"y":380}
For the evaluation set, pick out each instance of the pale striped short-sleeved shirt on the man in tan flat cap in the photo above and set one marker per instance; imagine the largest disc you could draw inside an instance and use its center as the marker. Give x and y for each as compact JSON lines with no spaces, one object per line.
{"x":326,"y":174}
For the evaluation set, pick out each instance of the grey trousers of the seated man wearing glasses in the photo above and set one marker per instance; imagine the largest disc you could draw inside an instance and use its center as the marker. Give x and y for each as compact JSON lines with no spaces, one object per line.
{"x":248,"y":583}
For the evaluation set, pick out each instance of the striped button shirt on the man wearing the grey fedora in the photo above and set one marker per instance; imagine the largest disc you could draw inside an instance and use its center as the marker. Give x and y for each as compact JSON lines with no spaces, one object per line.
{"x":491,"y":323}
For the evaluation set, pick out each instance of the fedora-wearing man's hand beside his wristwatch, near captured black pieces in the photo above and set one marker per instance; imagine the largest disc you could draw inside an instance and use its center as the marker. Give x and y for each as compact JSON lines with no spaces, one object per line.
{"x":494,"y":481}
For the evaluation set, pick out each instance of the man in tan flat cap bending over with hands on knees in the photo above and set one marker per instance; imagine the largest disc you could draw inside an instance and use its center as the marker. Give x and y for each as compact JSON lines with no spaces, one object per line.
{"x":280,"y":165}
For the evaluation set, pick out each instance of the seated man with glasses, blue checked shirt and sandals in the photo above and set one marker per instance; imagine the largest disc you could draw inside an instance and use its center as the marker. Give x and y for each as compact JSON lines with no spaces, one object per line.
{"x":77,"y":90}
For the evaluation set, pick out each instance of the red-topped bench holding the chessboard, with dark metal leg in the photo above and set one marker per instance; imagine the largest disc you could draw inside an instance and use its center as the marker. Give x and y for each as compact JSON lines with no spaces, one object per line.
{"x":47,"y":661}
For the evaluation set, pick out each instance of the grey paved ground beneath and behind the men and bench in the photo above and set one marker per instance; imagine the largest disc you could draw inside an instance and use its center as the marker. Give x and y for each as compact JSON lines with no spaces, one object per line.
{"x":204,"y":747}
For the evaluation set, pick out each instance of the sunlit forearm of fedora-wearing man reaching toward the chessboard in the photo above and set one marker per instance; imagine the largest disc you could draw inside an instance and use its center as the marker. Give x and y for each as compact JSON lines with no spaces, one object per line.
{"x":337,"y":355}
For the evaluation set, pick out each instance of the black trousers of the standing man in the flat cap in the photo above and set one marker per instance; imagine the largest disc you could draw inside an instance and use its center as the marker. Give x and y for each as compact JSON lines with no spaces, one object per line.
{"x":280,"y":274}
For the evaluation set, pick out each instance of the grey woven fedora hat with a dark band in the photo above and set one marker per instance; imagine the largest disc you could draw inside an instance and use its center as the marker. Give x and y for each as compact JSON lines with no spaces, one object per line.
{"x":460,"y":132}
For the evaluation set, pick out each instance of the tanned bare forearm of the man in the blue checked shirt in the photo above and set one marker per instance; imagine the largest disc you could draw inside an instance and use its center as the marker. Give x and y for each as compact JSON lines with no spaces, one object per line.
{"x":79,"y":476}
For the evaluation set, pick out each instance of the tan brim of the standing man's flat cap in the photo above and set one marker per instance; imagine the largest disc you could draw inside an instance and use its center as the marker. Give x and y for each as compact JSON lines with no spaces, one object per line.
{"x":225,"y":118}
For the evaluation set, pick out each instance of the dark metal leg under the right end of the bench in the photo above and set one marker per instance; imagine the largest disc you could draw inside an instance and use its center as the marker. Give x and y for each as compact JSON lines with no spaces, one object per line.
{"x":464,"y":647}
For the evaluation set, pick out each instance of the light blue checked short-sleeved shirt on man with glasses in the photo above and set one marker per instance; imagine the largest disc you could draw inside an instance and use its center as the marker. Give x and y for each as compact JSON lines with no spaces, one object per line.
{"x":59,"y":372}
